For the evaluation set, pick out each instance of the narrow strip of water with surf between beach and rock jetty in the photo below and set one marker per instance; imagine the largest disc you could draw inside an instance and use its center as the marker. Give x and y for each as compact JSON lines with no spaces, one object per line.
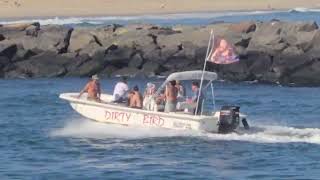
{"x":203,"y":18}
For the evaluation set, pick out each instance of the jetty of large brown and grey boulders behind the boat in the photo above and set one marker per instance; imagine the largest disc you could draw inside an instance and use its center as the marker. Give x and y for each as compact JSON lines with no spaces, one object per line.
{"x":270,"y":52}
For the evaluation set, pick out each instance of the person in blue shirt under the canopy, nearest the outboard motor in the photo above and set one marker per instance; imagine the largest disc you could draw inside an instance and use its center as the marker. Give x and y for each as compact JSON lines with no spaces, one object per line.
{"x":194,"y":100}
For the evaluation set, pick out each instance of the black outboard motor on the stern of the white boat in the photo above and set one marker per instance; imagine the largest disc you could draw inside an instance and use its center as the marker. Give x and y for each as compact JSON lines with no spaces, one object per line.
{"x":229,"y":119}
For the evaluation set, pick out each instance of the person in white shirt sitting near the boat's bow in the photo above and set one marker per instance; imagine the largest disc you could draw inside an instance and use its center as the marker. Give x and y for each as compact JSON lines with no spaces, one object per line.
{"x":120,"y":91}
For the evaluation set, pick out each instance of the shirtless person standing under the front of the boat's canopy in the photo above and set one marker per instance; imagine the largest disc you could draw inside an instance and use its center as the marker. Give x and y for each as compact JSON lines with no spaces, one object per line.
{"x":171,"y":97}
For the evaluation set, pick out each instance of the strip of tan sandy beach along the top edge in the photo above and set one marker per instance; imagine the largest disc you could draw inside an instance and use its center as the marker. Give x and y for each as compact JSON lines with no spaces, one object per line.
{"x":41,"y":8}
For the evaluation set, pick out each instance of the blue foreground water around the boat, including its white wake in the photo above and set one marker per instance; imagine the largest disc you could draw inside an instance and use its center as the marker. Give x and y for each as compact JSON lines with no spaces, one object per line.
{"x":41,"y":137}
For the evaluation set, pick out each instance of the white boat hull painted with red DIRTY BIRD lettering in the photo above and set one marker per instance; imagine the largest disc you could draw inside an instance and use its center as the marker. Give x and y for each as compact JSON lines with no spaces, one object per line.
{"x":117,"y":114}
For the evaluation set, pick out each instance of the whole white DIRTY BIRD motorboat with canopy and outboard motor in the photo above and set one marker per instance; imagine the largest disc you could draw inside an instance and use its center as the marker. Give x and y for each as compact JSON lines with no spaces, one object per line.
{"x":226,"y":120}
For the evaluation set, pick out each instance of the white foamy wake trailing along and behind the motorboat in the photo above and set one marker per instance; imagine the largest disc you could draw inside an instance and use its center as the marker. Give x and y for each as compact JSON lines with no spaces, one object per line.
{"x":258,"y":134}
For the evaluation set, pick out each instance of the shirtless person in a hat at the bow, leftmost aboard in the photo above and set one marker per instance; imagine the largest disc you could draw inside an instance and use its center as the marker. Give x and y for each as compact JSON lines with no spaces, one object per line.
{"x":93,"y":89}
